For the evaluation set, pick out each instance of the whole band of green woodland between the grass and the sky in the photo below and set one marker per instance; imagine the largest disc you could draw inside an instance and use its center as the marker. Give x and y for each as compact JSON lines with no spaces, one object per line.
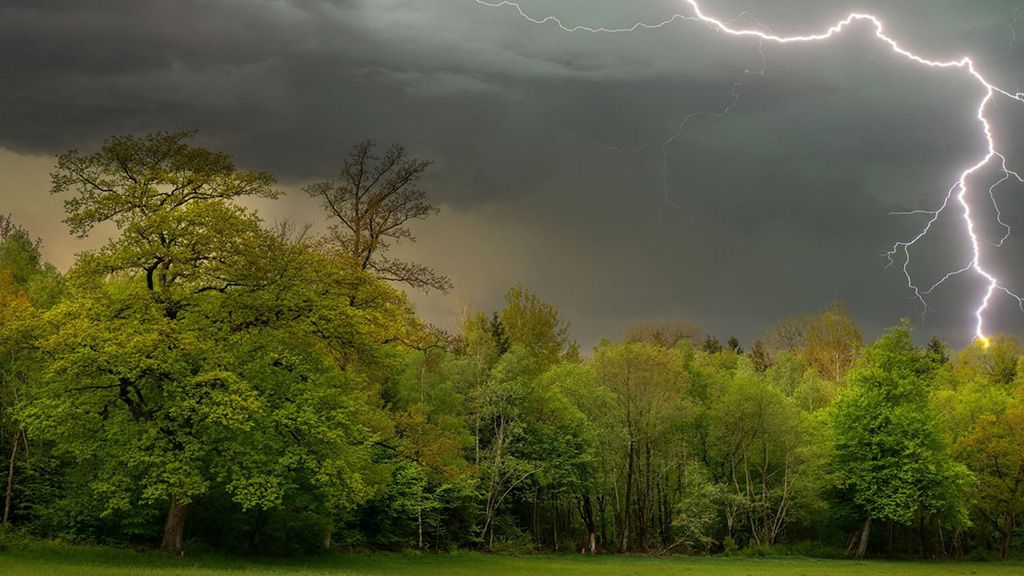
{"x":209,"y":381}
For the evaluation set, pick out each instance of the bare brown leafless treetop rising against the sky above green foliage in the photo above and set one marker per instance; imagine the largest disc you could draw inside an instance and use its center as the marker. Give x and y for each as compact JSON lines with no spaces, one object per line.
{"x":373,"y":203}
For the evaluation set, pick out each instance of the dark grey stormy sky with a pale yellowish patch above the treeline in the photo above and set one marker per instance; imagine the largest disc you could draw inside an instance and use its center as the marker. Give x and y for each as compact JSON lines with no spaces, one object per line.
{"x":538,"y":135}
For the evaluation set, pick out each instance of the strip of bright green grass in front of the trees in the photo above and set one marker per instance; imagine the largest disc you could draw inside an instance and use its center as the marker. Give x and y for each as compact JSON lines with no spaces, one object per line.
{"x":106,"y":562}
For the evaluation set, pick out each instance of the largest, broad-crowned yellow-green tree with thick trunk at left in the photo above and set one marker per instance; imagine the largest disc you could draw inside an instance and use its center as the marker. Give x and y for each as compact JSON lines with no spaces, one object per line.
{"x":200,"y":352}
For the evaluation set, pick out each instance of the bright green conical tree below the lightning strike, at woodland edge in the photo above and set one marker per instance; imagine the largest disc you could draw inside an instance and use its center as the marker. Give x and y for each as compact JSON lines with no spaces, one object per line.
{"x":889,"y":454}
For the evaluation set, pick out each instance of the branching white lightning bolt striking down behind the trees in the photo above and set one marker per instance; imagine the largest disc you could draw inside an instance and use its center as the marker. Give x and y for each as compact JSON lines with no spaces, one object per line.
{"x":959,"y":195}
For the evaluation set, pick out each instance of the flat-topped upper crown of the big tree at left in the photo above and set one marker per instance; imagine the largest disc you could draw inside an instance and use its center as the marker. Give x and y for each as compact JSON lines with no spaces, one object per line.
{"x":173,"y":204}
